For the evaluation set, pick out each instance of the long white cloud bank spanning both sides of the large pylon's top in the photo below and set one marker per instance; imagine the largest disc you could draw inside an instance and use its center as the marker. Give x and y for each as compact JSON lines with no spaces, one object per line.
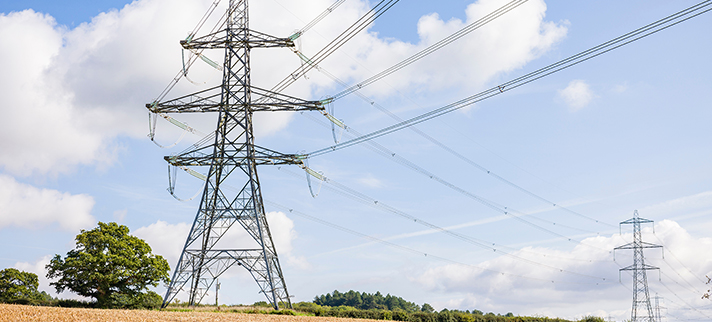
{"x":72,"y":91}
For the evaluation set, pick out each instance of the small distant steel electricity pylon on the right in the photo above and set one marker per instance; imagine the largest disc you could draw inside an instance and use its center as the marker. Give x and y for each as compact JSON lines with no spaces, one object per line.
{"x":642,"y":310}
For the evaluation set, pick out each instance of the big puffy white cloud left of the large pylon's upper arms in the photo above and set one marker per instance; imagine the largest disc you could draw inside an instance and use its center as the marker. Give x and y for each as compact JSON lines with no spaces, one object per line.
{"x":70,"y":92}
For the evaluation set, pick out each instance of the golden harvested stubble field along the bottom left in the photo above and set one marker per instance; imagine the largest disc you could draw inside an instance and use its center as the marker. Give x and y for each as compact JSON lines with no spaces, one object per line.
{"x":9,"y":312}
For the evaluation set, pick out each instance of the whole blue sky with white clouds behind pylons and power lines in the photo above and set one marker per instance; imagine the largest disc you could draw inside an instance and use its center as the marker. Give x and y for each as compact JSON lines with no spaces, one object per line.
{"x":570,"y":156}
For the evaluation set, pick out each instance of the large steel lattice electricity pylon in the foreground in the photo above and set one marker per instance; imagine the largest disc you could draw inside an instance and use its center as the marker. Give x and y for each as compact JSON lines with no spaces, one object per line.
{"x":232,"y":154}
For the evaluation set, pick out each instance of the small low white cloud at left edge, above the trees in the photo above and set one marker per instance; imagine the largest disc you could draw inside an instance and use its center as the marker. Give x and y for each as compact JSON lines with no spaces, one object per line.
{"x":23,"y":205}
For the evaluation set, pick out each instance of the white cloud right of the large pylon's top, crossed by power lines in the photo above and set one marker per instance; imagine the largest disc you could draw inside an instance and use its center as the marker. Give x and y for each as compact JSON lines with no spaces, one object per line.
{"x":503,"y":45}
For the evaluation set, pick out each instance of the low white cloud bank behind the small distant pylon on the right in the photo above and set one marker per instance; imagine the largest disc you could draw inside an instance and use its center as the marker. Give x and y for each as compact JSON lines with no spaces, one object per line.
{"x":541,"y":280}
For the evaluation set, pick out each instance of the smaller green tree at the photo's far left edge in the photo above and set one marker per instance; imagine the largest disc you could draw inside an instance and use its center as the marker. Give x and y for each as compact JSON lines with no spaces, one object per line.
{"x":18,"y":285}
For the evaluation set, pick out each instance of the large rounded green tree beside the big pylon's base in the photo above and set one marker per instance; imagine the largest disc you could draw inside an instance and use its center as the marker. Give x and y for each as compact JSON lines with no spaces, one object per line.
{"x":109,"y":265}
